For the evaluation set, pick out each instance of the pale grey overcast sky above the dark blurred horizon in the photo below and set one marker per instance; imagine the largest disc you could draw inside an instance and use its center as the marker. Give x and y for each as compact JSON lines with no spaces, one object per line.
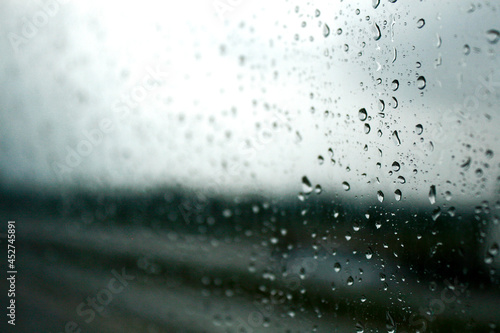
{"x":173,"y":94}
